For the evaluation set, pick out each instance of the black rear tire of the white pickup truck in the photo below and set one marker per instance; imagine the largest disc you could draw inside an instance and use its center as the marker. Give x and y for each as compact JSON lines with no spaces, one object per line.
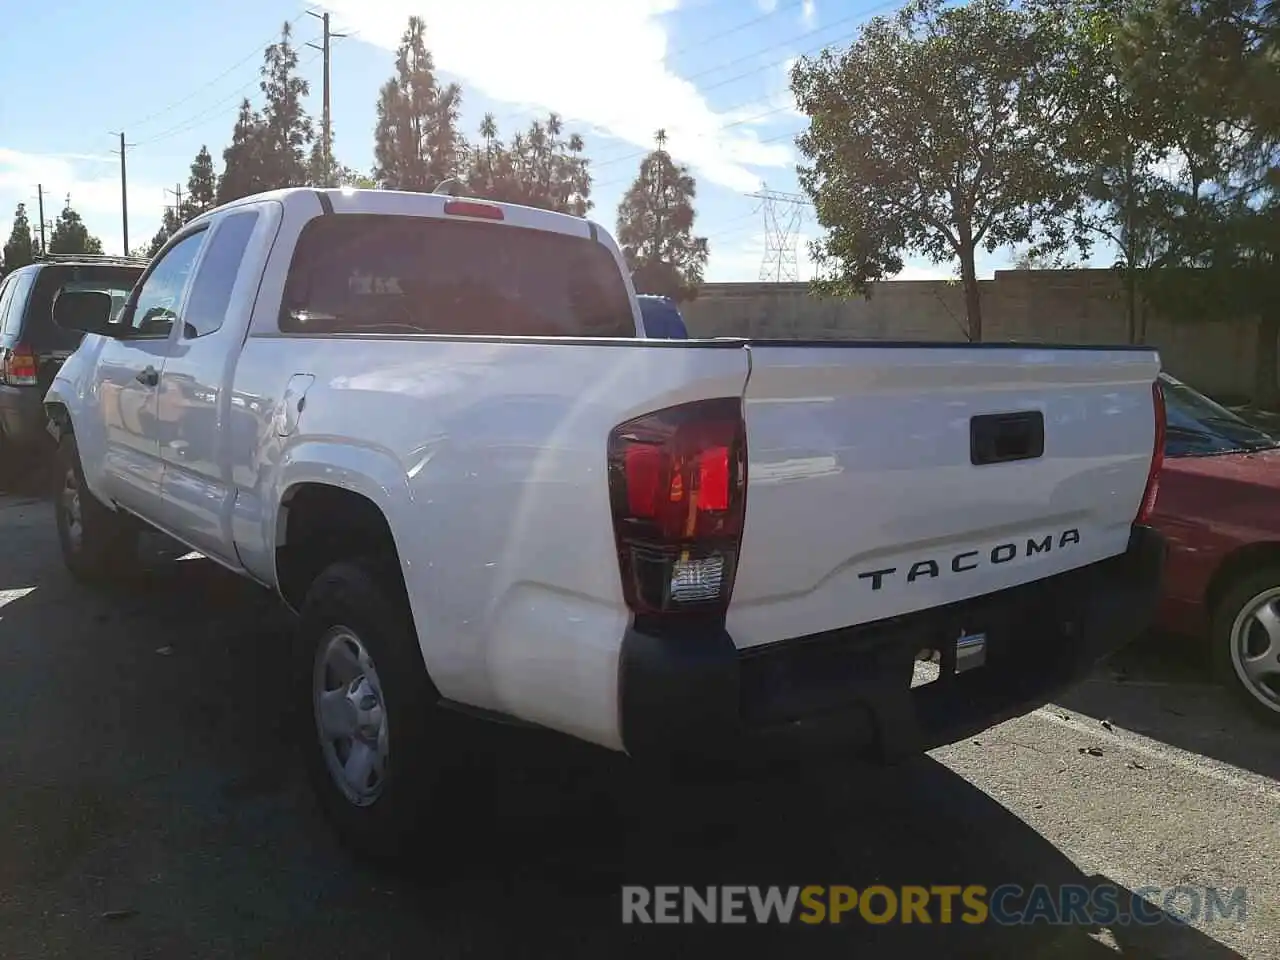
{"x":367,"y":597}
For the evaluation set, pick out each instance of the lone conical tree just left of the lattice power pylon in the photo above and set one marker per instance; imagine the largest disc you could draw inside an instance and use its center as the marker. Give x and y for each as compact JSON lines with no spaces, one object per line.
{"x":656,"y":228}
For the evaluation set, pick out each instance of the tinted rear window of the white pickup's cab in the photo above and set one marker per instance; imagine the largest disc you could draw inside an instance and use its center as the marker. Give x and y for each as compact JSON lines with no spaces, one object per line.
{"x":356,"y":273}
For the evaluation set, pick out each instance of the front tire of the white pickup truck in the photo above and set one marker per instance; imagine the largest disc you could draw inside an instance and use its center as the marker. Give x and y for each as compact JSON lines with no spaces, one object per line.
{"x":103,"y":547}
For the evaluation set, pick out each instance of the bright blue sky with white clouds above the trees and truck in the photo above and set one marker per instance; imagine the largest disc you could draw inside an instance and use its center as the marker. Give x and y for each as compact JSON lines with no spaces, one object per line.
{"x":714,"y":74}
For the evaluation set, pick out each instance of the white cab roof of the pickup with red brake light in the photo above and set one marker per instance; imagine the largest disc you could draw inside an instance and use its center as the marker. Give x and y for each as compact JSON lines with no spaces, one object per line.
{"x":394,"y":203}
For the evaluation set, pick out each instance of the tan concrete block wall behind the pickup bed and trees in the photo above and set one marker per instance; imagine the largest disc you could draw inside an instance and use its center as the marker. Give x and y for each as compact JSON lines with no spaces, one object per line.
{"x":1040,"y":307}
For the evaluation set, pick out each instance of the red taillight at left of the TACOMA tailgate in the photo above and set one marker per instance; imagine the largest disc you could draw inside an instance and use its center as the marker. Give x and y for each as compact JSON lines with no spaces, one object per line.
{"x":678,"y":487}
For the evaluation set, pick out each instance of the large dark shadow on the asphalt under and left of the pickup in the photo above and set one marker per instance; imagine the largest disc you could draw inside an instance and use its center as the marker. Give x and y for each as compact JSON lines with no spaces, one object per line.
{"x":154,"y":807}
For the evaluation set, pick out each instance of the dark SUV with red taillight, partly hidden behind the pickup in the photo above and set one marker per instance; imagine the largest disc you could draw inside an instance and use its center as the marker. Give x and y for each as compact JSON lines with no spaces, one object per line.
{"x":33,"y":348}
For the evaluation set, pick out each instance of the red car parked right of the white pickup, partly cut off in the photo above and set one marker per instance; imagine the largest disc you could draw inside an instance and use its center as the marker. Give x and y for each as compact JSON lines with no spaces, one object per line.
{"x":1219,"y":508}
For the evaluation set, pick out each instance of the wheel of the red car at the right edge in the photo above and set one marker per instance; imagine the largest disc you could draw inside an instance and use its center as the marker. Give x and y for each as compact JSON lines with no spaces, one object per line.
{"x":1247,"y":643}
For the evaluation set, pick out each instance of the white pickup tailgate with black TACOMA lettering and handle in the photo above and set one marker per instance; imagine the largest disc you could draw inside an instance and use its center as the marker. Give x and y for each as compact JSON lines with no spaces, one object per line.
{"x":889,"y":479}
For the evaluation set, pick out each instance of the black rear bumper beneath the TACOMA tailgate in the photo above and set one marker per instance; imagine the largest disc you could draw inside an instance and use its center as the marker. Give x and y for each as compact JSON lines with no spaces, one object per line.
{"x":693,"y":692}
